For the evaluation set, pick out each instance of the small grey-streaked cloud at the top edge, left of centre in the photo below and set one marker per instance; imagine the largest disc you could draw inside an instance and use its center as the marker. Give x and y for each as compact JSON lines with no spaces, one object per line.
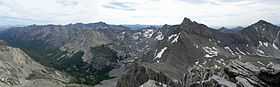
{"x":126,"y":6}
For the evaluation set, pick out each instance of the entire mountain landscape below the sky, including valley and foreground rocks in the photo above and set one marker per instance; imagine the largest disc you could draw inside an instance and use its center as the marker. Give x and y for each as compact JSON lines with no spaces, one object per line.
{"x":189,"y":54}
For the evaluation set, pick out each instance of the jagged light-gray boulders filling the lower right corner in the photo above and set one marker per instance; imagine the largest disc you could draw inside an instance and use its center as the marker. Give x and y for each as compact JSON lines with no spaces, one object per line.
{"x":235,"y":74}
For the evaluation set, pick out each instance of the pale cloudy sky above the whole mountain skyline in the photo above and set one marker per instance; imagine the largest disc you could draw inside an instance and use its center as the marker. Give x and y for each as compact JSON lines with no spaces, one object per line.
{"x":210,"y":12}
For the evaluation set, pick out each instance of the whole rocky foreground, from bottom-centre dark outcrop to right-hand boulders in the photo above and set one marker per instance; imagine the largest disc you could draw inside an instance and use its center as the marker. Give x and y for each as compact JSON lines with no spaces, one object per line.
{"x":234,"y":74}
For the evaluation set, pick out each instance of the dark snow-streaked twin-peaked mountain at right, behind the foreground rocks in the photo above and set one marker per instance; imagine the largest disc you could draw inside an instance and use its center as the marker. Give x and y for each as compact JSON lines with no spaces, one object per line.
{"x":190,"y":41}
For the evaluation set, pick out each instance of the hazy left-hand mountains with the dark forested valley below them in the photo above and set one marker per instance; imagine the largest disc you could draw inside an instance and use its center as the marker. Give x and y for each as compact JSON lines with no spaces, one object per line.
{"x":87,"y":49}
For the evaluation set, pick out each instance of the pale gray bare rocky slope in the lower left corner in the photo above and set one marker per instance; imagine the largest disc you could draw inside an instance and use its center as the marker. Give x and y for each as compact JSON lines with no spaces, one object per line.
{"x":17,"y":69}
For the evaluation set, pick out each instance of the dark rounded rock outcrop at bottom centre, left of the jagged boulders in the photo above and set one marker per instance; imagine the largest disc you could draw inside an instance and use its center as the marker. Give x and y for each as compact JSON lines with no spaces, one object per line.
{"x":140,"y":76}
